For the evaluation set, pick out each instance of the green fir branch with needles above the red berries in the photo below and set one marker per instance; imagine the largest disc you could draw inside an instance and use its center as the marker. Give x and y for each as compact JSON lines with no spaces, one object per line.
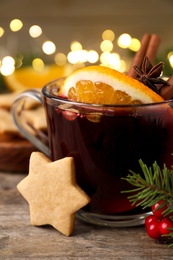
{"x":153,"y":186}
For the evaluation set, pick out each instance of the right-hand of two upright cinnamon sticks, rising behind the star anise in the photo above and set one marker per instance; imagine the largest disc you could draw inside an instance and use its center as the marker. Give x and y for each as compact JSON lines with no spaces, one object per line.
{"x":153,"y":47}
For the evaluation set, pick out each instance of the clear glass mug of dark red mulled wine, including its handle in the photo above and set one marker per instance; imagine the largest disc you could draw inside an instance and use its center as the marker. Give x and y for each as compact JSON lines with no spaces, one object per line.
{"x":106,"y":141}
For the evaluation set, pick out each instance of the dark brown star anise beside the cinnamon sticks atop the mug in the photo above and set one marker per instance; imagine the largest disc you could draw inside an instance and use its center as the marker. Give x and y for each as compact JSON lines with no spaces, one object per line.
{"x":149,"y":75}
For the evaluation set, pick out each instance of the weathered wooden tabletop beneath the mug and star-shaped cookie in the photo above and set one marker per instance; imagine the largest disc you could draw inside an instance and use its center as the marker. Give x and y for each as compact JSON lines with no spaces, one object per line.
{"x":20,"y":240}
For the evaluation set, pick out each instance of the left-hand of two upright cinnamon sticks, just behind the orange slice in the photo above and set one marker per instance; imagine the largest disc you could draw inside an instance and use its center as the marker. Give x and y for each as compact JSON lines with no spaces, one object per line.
{"x":140,"y":54}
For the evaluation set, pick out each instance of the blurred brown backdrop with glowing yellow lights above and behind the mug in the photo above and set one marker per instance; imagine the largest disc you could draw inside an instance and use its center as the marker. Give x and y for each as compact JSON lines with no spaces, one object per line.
{"x":63,"y":35}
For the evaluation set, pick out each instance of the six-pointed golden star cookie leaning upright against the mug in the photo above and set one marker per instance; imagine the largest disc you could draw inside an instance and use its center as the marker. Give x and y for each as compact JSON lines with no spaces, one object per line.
{"x":52,"y":192}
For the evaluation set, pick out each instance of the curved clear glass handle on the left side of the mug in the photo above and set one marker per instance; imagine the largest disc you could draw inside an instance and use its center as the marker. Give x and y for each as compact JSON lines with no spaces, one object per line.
{"x":16,"y":112}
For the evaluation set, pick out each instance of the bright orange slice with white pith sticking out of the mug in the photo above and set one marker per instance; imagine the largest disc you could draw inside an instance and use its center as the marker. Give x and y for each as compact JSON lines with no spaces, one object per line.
{"x":102,"y":85}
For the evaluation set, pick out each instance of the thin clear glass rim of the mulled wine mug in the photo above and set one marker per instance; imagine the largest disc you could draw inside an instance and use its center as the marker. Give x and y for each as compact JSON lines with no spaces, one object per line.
{"x":77,"y":103}
